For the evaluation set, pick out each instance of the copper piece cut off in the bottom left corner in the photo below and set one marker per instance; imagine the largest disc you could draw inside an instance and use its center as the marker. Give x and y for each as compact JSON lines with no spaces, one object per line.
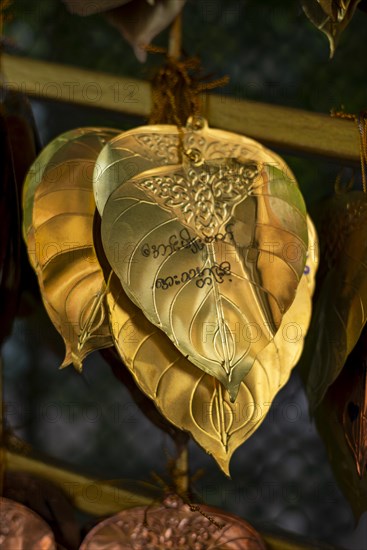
{"x":22,"y":529}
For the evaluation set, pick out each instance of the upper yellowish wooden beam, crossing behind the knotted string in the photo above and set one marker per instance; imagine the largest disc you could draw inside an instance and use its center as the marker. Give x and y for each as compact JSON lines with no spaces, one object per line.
{"x":289,"y":129}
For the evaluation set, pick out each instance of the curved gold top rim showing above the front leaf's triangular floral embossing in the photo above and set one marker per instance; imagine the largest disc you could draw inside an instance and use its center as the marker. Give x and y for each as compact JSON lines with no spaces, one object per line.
{"x":146,"y":147}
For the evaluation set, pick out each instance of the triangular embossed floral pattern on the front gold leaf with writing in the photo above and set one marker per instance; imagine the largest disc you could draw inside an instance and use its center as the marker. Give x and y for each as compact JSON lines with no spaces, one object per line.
{"x":204,"y":195}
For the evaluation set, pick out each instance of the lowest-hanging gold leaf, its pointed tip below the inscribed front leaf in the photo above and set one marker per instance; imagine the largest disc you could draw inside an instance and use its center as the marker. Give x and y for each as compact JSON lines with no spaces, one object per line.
{"x":195,"y":401}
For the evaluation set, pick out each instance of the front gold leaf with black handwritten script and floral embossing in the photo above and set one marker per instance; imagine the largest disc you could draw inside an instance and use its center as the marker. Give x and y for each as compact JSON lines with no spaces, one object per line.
{"x":209,"y":242}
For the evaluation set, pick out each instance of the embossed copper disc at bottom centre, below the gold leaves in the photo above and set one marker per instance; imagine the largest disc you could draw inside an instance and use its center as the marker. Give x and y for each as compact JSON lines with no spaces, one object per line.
{"x":173,"y":525}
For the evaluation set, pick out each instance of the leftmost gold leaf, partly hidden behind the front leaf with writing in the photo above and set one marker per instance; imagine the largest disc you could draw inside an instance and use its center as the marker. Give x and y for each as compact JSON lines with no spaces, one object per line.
{"x":59,"y":207}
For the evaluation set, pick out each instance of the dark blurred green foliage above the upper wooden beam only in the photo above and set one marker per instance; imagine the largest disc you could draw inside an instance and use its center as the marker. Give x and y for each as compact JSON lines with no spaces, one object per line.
{"x":269,"y":49}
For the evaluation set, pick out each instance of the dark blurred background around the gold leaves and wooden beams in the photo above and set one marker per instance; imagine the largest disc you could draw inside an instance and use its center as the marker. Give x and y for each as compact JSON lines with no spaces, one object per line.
{"x":272,"y":53}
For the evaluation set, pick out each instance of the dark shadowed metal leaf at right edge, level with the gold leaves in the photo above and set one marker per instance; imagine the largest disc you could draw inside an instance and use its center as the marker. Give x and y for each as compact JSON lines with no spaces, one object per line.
{"x":341,"y":305}
